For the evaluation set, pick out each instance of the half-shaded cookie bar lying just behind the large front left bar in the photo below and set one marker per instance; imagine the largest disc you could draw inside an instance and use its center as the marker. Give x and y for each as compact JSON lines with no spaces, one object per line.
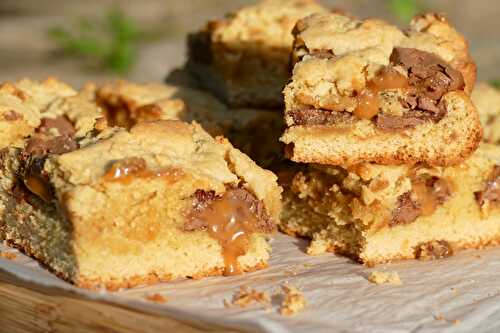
{"x":255,"y":132}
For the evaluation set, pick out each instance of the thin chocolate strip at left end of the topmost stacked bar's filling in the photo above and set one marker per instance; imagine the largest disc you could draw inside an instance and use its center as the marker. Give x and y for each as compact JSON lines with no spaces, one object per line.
{"x":320,"y":117}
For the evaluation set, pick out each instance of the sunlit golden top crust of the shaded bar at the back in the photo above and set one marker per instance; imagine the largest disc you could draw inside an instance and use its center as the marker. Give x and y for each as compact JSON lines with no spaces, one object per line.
{"x":270,"y":21}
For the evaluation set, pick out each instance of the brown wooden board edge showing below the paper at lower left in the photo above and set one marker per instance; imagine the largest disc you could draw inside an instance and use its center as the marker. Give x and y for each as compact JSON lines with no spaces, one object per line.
{"x":25,"y":307}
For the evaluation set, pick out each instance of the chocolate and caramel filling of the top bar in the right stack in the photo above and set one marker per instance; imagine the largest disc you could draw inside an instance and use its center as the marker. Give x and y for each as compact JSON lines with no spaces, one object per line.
{"x":426,"y":80}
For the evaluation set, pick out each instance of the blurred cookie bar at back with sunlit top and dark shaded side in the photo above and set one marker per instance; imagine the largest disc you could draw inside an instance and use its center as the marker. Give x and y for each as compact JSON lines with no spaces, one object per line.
{"x":244,"y":59}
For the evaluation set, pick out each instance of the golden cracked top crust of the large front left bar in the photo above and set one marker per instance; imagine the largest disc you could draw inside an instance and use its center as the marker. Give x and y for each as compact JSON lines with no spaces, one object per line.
{"x":167,"y":145}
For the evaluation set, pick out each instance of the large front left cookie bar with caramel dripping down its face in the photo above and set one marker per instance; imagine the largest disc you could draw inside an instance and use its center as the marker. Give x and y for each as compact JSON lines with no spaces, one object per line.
{"x":162,"y":201}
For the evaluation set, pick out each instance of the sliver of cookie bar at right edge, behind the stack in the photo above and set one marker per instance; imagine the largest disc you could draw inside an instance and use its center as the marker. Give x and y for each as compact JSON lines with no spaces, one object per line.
{"x":487,"y":101}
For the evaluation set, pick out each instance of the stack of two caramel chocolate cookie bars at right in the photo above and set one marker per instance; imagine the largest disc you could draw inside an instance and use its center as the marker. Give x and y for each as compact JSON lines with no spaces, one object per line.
{"x":385,"y":123}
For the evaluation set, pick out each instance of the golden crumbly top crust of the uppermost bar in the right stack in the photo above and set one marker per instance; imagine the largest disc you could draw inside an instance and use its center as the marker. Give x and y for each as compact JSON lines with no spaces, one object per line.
{"x":340,"y":34}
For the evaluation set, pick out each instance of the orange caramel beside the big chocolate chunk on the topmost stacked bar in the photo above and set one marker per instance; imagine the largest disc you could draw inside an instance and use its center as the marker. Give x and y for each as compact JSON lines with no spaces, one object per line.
{"x":368,"y":100}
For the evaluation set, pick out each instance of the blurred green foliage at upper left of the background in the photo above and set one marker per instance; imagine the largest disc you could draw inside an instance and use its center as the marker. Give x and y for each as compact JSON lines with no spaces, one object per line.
{"x":111,"y":40}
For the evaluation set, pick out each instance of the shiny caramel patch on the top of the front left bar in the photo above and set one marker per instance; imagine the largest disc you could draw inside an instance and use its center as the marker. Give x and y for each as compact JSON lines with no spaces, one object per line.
{"x":126,"y":170}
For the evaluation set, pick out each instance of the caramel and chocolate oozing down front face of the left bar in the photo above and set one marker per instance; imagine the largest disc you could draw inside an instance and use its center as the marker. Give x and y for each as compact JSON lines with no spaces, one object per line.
{"x":230,"y":219}
